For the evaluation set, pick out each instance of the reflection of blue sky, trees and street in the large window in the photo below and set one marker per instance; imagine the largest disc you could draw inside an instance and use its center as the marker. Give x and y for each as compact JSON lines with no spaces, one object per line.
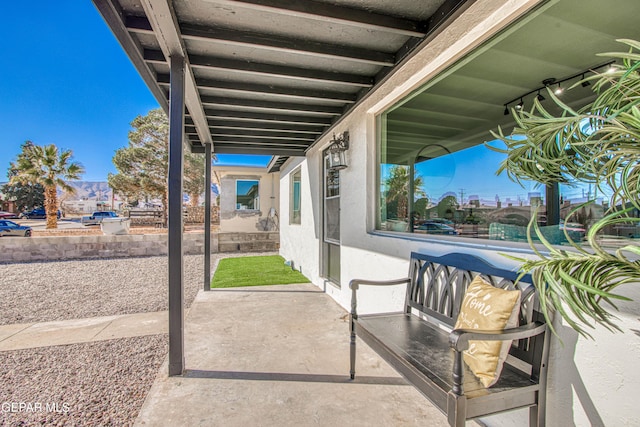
{"x":451,"y":190}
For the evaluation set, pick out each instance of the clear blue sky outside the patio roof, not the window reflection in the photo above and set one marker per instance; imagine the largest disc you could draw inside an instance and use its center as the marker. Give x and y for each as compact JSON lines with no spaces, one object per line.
{"x":65,"y":80}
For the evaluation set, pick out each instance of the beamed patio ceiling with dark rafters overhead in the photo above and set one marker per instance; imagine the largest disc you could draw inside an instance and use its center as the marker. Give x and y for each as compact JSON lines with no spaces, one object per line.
{"x":271,"y":76}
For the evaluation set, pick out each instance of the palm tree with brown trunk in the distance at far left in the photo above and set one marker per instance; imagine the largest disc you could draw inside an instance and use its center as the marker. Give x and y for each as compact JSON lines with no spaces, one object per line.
{"x":51,"y":168}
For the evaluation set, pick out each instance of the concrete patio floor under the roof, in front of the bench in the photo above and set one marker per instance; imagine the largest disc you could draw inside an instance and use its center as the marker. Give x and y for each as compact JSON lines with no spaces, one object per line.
{"x":279,"y":356}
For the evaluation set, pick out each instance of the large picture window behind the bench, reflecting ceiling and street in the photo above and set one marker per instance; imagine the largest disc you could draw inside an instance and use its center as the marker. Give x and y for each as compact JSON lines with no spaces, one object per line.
{"x":436,"y":172}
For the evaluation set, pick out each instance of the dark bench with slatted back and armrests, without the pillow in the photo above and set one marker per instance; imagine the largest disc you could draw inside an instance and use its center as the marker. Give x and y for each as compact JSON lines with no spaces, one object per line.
{"x":420,"y":342}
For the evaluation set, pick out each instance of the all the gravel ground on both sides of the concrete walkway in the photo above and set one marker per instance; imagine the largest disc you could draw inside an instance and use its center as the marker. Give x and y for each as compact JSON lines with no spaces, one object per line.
{"x":91,"y":384}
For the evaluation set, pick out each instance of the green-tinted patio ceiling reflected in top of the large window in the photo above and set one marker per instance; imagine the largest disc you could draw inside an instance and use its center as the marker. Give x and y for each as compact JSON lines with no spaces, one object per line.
{"x":460,"y":107}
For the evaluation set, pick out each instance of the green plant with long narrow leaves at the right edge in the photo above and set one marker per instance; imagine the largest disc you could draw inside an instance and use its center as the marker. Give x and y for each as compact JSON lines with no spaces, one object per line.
{"x":579,"y":284}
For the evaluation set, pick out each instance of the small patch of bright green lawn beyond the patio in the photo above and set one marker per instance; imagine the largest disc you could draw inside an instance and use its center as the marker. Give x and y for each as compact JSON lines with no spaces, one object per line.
{"x":254,"y":271}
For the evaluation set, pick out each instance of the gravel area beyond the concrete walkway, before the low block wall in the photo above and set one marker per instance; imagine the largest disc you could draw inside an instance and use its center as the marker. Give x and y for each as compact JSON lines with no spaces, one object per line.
{"x":62,"y":290}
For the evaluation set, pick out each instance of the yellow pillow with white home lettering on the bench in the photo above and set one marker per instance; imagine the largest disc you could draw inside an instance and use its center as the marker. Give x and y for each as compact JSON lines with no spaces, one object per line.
{"x":488,"y":308}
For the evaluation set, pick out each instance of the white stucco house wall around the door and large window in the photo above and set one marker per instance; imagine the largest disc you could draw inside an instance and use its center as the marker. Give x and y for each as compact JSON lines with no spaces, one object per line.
{"x":590,"y":382}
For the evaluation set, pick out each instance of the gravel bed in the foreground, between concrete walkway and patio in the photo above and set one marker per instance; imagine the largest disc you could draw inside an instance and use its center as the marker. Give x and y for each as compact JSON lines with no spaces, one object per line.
{"x":95,"y":384}
